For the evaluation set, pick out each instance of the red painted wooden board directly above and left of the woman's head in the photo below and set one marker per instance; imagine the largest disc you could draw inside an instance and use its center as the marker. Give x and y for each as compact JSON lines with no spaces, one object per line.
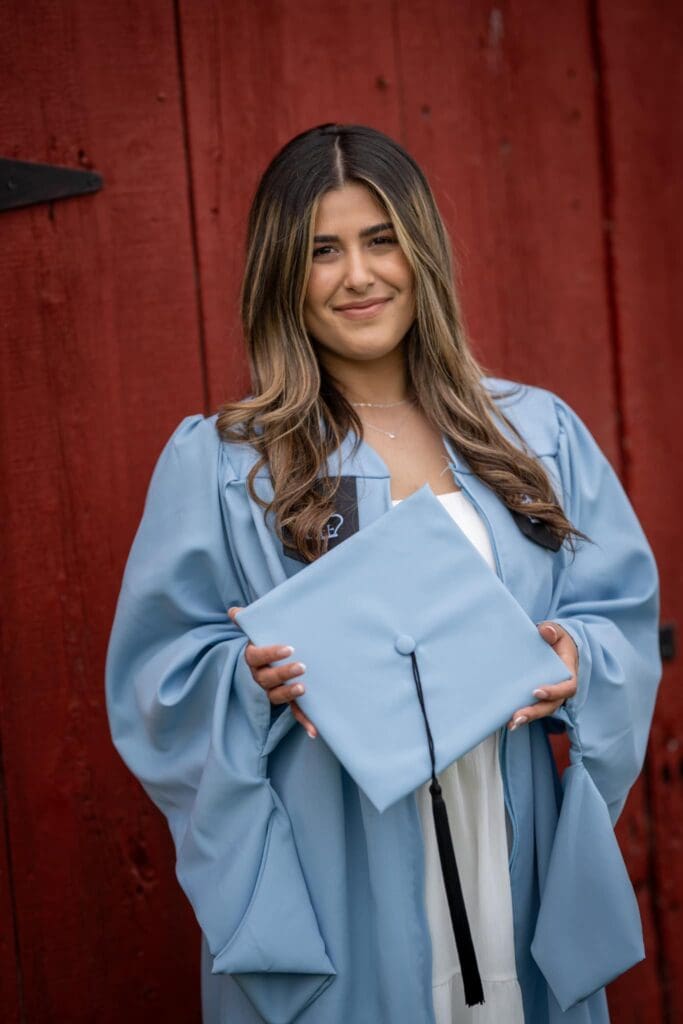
{"x":315,"y":64}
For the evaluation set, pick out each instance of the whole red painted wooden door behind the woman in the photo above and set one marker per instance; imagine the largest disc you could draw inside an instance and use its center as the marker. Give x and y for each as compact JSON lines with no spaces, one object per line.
{"x":545,"y":132}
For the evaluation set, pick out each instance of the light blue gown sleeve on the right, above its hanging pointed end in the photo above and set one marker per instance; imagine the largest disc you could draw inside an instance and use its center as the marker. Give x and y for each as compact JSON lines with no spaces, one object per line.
{"x":608,"y":600}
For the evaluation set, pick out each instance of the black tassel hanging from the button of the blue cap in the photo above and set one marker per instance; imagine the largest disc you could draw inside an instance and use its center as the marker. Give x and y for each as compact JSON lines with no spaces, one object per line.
{"x":454,"y":891}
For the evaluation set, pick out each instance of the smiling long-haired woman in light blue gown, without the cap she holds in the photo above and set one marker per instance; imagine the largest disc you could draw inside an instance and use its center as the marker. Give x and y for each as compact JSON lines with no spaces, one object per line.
{"x":314,"y":907}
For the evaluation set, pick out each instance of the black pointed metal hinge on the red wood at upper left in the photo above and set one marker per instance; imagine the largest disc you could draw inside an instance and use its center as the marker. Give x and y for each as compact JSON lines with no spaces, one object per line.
{"x":24,"y":184}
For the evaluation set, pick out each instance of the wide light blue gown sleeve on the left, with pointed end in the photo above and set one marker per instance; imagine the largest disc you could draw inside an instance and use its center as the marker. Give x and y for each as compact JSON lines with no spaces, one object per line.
{"x":191,"y":723}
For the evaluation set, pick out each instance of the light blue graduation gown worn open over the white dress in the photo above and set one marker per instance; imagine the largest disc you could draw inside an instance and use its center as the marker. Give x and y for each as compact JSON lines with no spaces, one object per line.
{"x":311,"y":902}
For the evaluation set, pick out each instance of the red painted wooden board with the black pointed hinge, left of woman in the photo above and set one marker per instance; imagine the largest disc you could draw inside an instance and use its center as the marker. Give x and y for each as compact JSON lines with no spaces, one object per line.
{"x":101,"y":359}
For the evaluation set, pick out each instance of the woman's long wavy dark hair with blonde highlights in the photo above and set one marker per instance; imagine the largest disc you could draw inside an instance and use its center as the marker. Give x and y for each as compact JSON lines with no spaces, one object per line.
{"x":296,"y":416}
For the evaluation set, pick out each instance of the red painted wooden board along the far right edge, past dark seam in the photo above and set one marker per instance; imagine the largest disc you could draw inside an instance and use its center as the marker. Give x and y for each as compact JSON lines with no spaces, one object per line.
{"x":644,"y":74}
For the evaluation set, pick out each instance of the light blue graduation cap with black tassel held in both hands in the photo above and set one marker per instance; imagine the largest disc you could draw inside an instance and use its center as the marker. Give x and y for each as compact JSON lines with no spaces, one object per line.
{"x":415,"y":653}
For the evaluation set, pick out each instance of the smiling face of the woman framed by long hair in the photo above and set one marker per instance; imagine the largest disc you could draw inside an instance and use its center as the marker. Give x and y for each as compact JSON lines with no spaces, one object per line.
{"x":360,"y":302}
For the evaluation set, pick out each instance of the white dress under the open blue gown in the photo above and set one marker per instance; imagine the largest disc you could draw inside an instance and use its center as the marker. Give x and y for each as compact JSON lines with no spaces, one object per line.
{"x":473,"y":789}
